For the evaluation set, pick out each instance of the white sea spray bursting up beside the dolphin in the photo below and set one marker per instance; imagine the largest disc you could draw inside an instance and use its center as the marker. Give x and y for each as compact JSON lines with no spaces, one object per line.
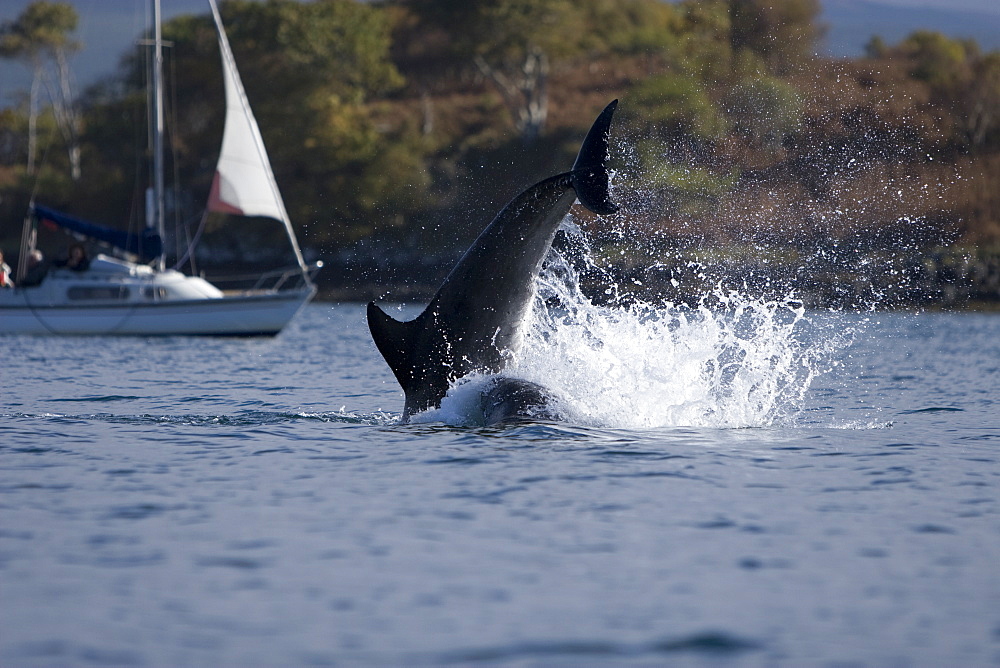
{"x":732,"y":360}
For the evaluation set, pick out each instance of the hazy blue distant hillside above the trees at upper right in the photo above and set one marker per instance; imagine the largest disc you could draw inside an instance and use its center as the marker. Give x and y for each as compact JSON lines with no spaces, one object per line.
{"x":851,"y":23}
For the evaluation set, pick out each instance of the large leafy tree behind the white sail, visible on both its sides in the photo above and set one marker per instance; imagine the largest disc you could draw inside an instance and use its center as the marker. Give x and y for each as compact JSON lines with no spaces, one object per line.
{"x":316,"y":74}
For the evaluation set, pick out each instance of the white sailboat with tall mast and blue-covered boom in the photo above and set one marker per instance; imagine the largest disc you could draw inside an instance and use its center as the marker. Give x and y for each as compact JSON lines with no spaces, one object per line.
{"x":132,"y":292}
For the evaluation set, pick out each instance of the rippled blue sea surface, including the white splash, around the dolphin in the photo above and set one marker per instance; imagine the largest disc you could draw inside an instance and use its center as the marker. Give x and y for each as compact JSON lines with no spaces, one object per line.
{"x":253,"y":502}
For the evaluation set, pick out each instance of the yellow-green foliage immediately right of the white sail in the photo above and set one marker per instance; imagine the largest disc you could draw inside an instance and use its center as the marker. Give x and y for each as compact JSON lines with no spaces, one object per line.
{"x":332,"y":58}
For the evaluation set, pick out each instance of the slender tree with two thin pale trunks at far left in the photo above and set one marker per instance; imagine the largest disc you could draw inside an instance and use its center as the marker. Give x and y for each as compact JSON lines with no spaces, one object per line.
{"x":39,"y":36}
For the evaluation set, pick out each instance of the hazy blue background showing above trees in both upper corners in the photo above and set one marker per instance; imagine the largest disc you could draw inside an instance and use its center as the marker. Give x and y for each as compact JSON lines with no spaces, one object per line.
{"x":108,"y":28}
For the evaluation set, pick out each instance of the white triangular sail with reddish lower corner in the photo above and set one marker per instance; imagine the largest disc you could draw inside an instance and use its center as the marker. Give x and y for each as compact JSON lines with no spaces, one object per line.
{"x":244,"y":183}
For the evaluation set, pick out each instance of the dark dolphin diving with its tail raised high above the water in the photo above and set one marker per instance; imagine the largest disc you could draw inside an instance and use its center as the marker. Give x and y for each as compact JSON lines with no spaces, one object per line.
{"x":473,"y":322}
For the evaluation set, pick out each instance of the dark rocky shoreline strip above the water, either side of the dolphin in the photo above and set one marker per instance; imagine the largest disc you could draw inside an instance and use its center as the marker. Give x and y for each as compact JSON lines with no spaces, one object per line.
{"x":951,"y":279}
